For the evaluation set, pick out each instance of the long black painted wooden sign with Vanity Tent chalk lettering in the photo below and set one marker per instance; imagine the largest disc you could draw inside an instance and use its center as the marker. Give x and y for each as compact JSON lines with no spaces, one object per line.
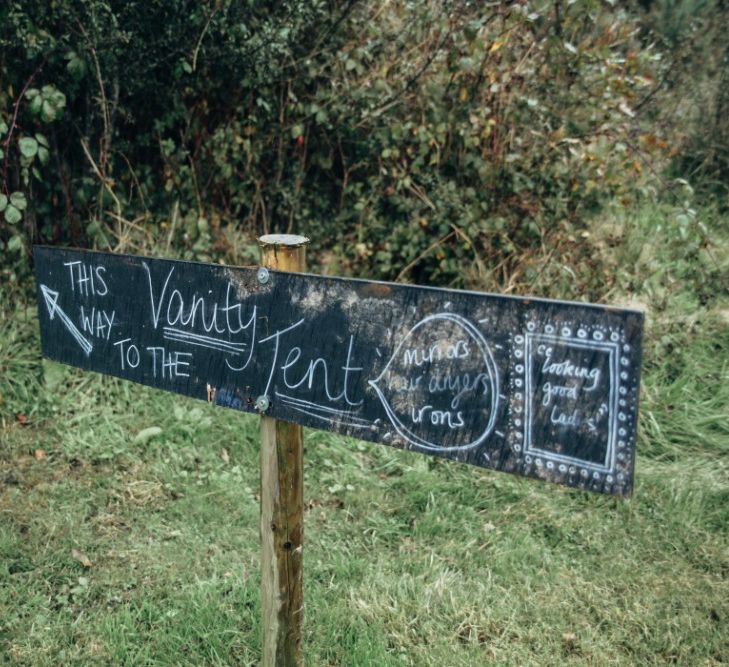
{"x":541,"y":388}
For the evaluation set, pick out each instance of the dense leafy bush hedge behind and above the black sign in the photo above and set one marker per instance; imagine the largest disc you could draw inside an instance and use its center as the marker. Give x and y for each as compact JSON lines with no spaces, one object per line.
{"x":439,"y":142}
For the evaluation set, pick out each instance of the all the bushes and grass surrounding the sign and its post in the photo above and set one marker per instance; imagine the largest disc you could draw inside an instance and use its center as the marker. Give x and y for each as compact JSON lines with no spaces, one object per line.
{"x":567,"y":149}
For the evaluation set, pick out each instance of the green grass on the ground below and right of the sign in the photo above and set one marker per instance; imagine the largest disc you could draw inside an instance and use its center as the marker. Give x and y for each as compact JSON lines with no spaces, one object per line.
{"x":128,"y":521}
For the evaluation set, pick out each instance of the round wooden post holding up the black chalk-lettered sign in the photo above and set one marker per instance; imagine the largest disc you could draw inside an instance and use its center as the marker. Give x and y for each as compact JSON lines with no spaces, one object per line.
{"x":282,"y":503}
